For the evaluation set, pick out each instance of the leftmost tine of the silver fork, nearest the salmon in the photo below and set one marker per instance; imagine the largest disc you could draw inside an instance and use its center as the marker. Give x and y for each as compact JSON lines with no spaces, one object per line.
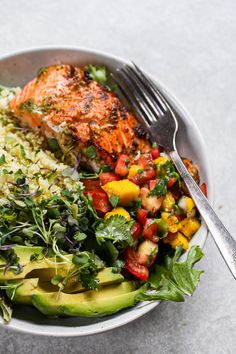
{"x":127,"y":93}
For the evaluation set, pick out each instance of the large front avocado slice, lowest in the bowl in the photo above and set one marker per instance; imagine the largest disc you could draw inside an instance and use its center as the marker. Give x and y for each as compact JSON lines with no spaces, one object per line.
{"x":94,"y":303}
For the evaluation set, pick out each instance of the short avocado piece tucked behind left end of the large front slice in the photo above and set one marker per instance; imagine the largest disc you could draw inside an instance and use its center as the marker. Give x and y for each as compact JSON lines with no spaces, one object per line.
{"x":26,"y":288}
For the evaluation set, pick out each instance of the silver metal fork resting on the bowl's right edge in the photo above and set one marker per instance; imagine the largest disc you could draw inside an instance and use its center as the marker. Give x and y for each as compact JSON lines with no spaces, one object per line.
{"x":157,"y":114}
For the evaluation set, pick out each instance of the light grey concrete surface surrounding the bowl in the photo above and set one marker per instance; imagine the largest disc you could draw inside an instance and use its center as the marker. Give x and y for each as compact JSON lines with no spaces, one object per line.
{"x":190,"y":46}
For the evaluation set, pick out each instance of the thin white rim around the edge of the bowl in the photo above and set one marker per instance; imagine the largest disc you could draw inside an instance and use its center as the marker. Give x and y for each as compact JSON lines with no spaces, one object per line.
{"x":124,"y":318}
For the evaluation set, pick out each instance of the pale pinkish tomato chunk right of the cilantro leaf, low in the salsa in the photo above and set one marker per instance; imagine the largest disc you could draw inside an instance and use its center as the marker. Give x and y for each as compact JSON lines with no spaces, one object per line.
{"x":147,"y":253}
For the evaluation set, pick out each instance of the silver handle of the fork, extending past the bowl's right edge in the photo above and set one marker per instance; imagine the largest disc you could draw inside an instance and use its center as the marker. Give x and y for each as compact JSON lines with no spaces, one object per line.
{"x":222,"y":238}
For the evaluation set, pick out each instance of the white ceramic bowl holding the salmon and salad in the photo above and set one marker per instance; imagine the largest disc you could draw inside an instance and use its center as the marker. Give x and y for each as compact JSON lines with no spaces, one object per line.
{"x":16,"y":70}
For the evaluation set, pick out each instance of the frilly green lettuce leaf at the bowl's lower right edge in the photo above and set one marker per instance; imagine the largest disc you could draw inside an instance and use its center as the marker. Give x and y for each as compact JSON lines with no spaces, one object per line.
{"x":173,"y":279}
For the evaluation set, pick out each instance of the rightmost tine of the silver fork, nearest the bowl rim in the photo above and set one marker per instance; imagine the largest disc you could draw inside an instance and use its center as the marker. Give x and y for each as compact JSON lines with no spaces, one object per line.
{"x":149,"y":85}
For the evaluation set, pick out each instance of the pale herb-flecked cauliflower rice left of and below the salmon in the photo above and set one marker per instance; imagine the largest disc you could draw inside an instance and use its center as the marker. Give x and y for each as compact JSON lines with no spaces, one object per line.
{"x":22,"y":153}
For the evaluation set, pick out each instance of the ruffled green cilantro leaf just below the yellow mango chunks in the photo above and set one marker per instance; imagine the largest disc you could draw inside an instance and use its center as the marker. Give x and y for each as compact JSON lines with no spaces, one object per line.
{"x":116,"y":229}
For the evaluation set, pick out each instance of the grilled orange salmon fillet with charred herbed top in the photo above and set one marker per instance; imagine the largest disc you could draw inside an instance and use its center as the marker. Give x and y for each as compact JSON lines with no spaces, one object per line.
{"x":63,"y":102}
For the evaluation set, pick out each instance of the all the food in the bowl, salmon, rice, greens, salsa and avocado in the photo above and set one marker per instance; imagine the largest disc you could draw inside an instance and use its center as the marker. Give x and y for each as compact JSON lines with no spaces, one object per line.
{"x":93,"y":215}
